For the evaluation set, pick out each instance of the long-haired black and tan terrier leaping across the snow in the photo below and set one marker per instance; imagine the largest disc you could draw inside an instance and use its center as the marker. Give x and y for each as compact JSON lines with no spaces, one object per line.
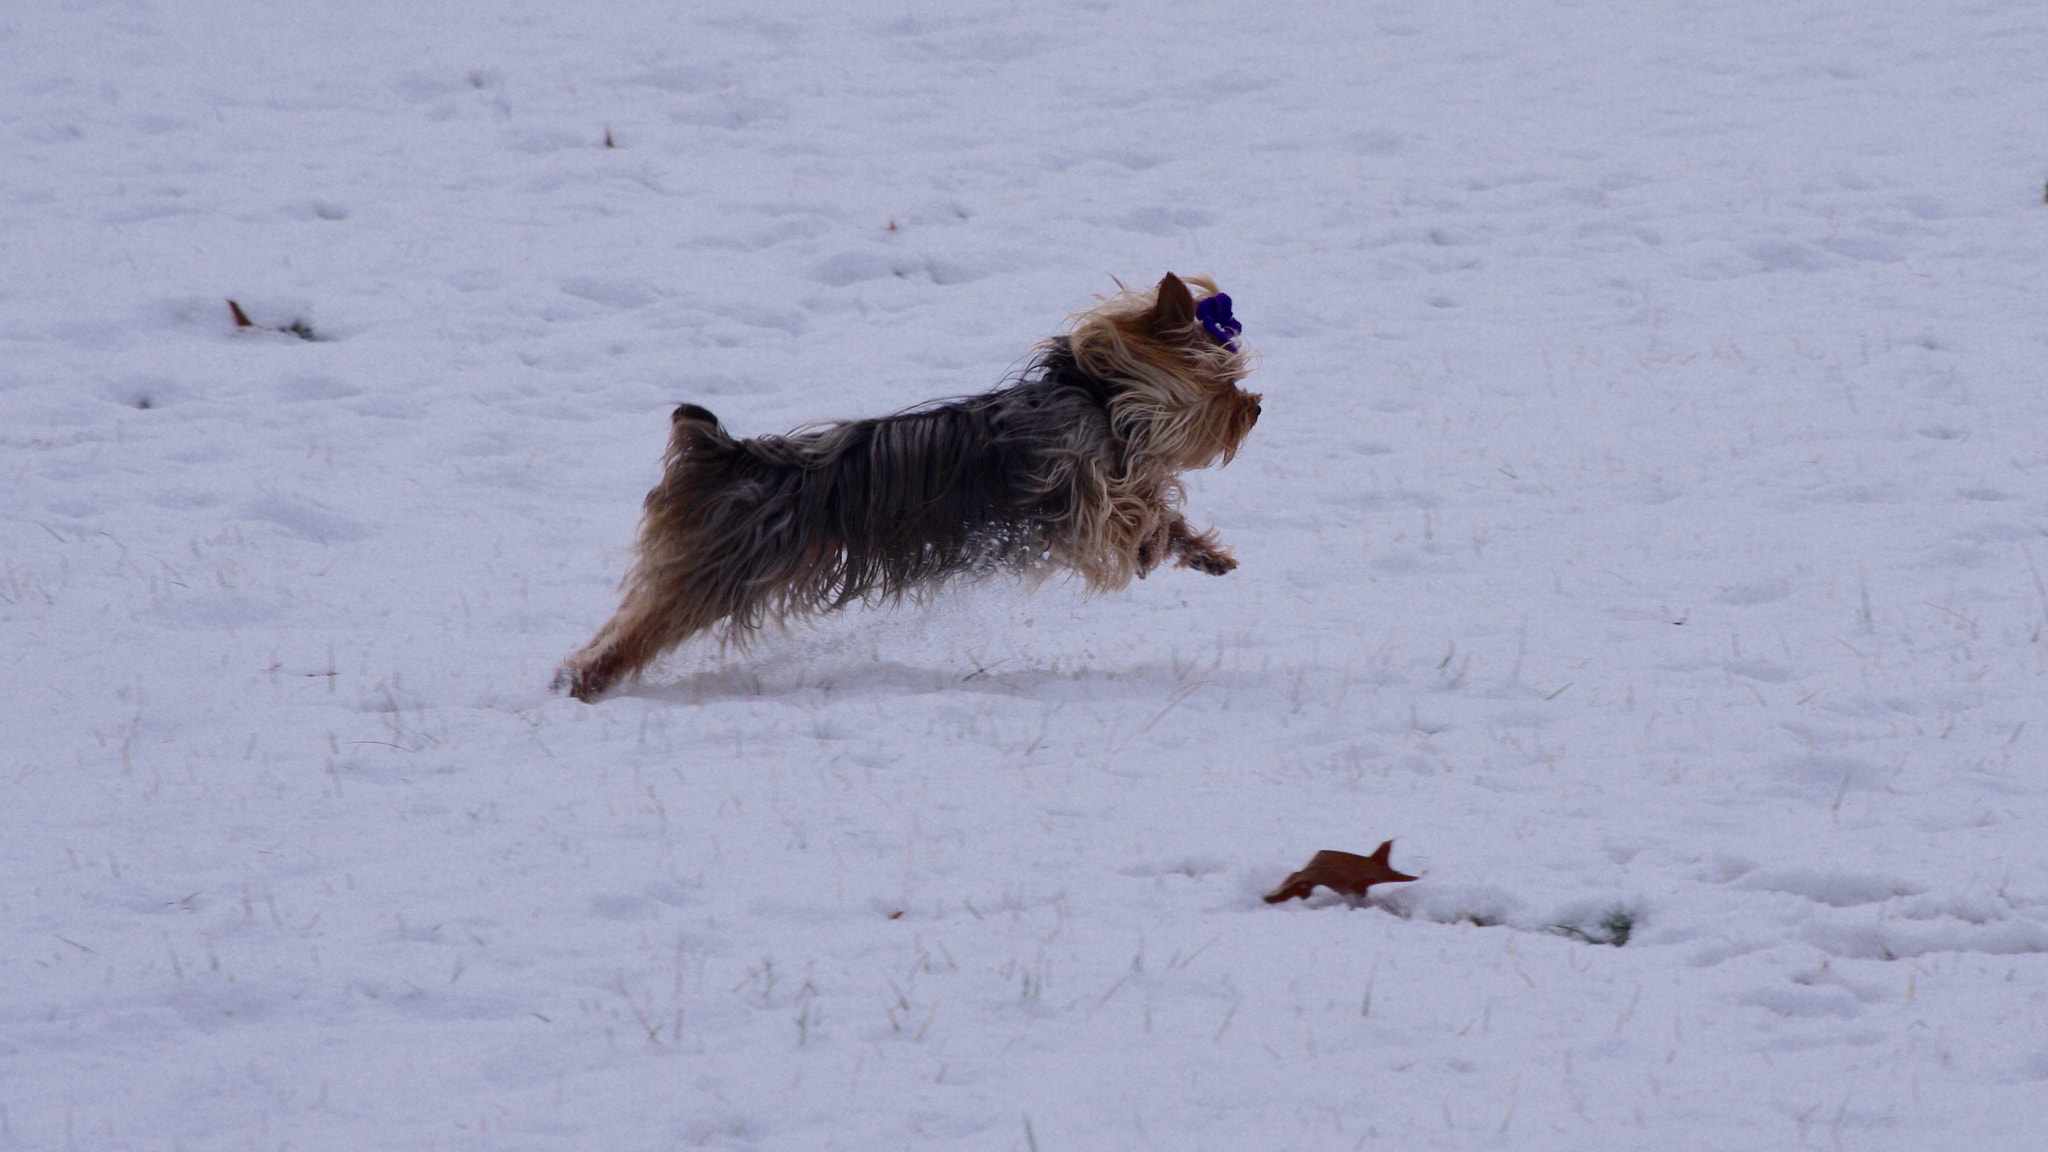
{"x":1070,"y":468}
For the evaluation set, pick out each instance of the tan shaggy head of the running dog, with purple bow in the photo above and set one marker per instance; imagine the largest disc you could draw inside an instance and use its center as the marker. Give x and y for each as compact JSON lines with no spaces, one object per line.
{"x":1181,"y":362}
